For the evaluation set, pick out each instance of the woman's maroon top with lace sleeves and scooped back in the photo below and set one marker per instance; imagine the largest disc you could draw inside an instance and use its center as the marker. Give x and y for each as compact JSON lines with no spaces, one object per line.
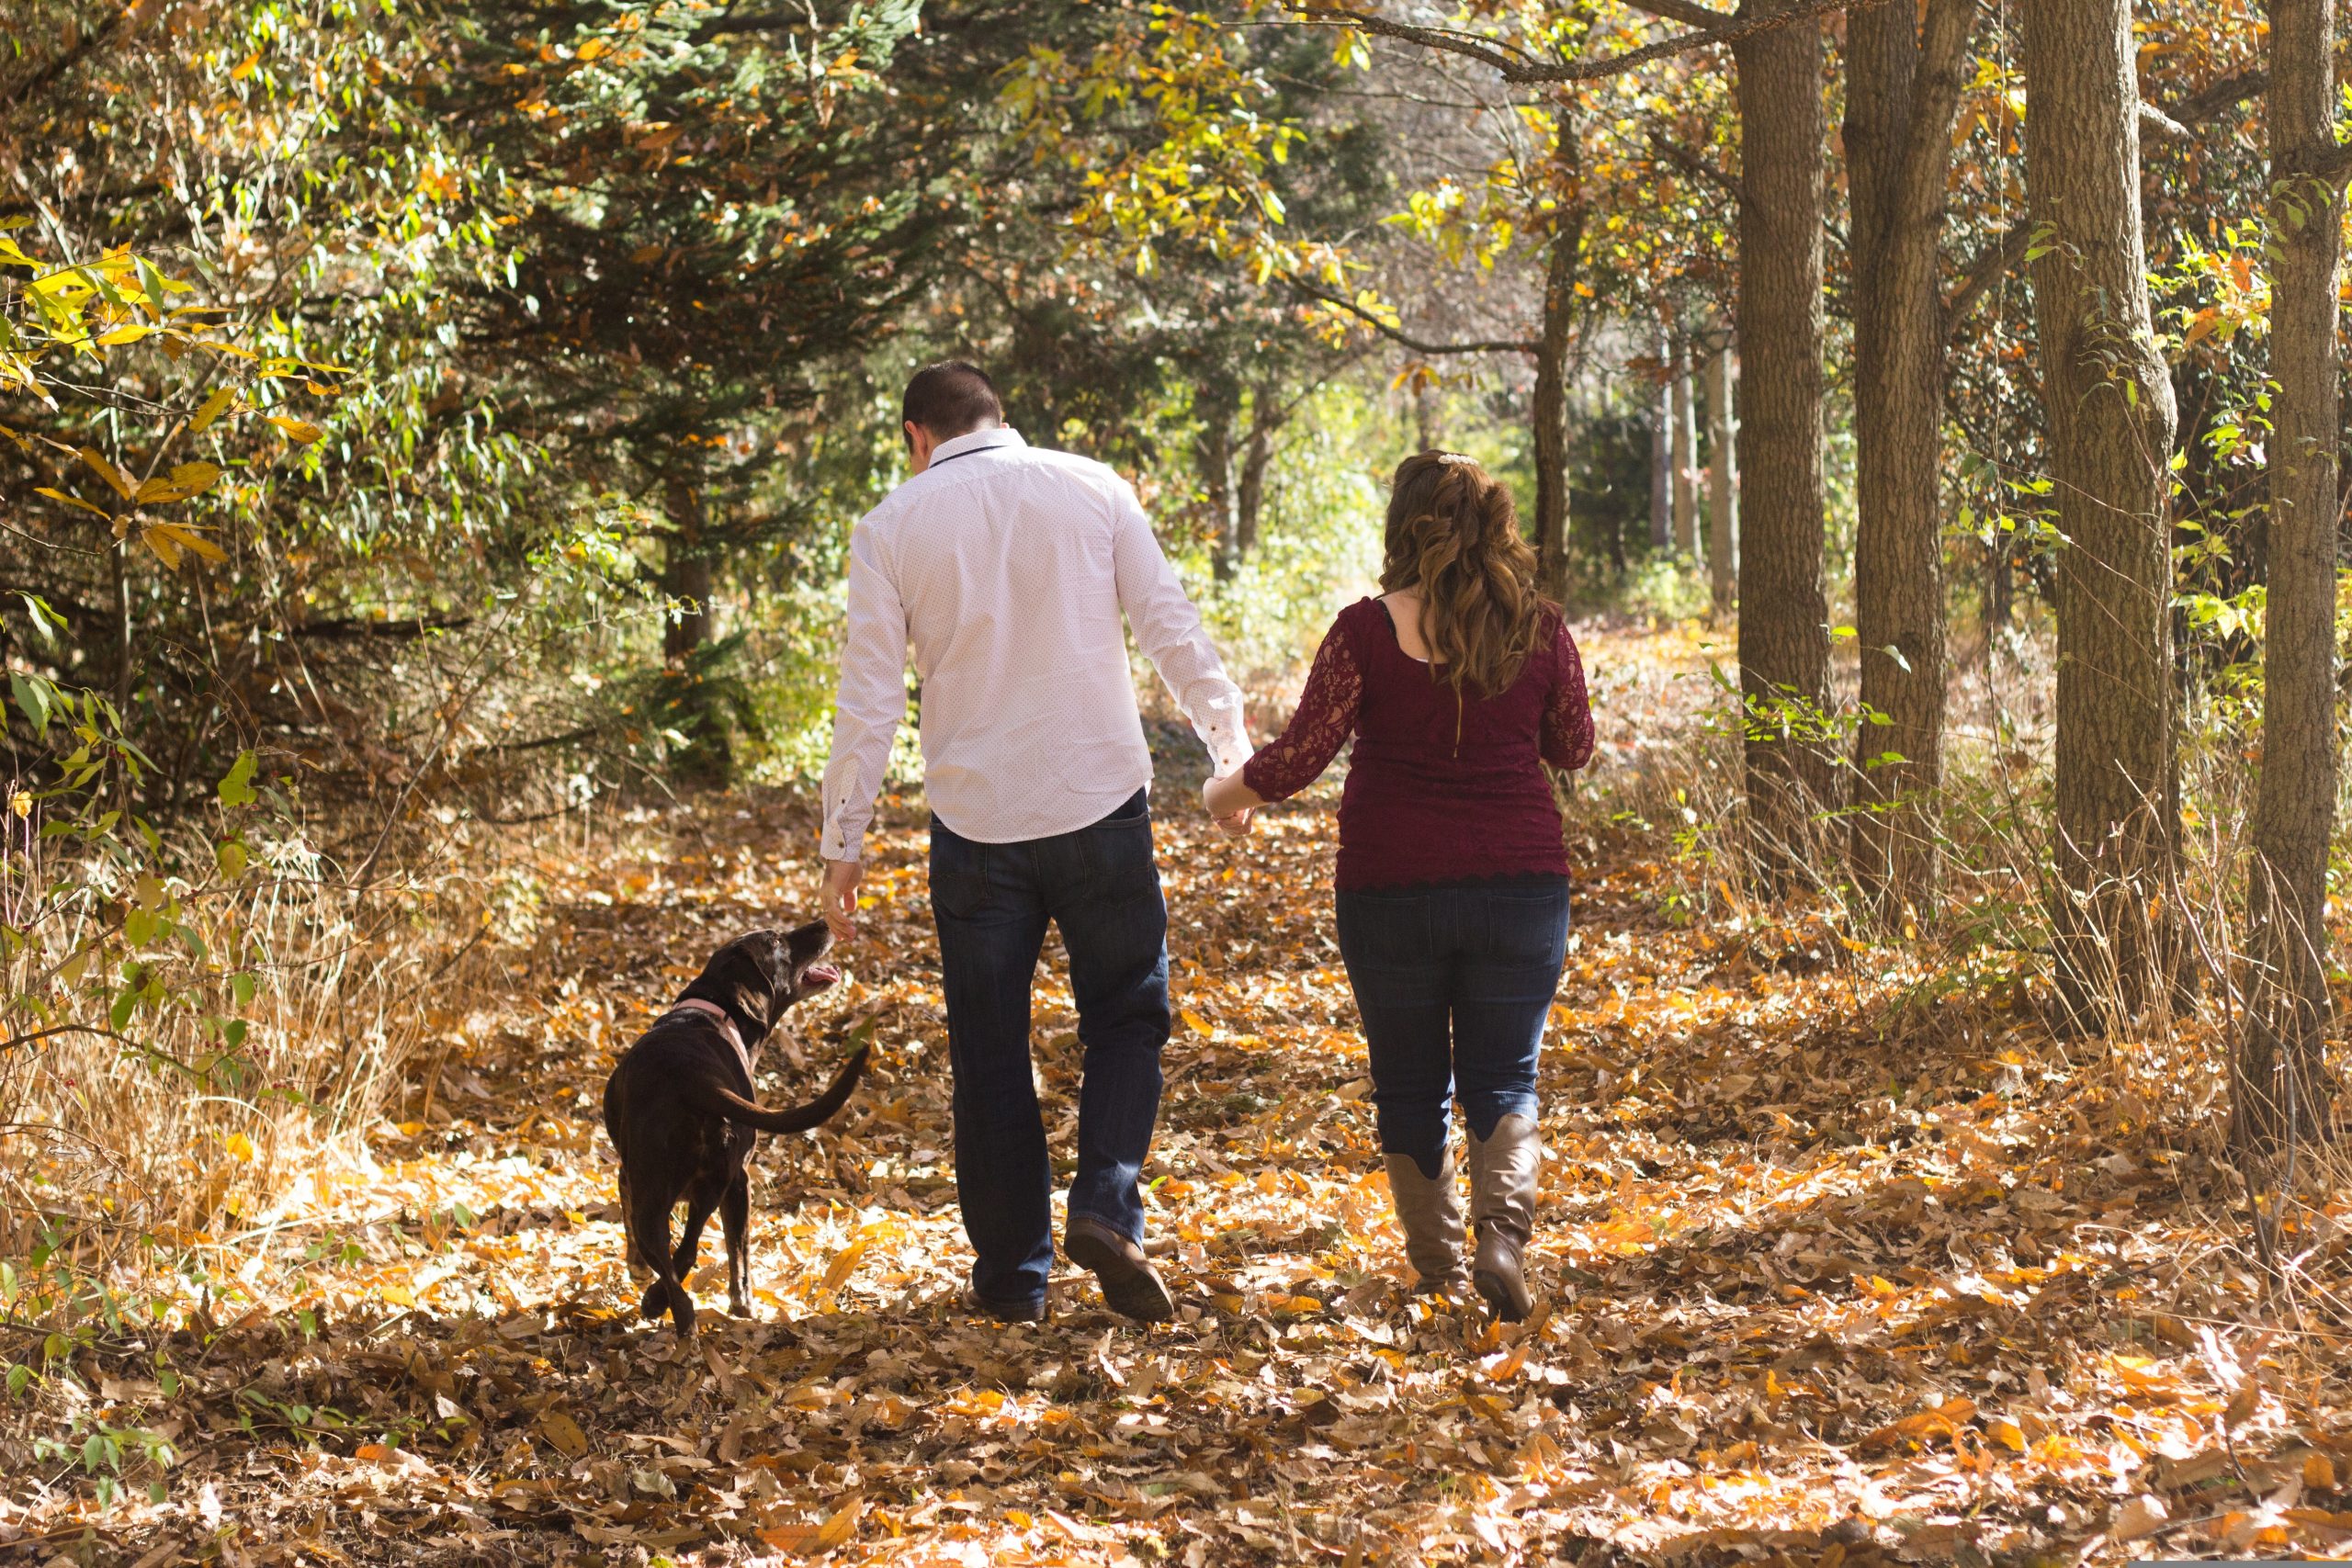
{"x":1441,"y":786}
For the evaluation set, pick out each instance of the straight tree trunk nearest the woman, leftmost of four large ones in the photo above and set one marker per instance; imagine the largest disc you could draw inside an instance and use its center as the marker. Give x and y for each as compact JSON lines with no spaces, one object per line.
{"x":1784,"y":612}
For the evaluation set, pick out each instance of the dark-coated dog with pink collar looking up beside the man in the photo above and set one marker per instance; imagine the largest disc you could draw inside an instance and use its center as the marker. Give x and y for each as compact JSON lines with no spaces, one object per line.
{"x":681,"y":1111}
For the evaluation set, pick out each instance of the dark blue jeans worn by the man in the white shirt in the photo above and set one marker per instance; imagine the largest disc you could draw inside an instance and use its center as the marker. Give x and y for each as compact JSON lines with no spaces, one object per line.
{"x":991,"y":904}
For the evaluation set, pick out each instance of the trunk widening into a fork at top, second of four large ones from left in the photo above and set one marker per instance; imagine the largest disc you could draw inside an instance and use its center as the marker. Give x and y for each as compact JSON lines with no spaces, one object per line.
{"x":1902,"y":95}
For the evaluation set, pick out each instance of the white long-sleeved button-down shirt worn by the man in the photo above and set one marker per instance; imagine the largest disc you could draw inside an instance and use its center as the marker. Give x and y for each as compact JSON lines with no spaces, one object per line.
{"x":1005,"y":570}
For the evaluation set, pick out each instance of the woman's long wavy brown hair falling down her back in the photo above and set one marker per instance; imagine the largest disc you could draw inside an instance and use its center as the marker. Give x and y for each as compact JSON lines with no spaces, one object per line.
{"x":1455,"y":540}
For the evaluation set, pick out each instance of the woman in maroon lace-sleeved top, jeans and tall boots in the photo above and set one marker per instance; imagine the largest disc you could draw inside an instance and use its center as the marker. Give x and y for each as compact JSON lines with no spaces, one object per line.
{"x":1459,"y":685}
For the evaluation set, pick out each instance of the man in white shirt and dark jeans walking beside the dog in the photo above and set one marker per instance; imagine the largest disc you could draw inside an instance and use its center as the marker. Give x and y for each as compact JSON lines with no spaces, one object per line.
{"x":1008,"y":570}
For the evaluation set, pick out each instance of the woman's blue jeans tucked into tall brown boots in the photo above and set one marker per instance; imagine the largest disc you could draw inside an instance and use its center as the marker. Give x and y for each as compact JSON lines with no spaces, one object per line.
{"x":1455,"y":986}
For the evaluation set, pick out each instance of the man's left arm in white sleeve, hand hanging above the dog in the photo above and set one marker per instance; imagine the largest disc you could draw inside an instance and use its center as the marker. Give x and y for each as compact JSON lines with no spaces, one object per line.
{"x":867,"y":716}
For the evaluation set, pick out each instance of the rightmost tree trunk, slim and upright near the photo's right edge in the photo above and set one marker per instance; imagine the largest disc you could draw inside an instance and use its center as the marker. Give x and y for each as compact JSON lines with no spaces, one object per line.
{"x":2283,"y":1080}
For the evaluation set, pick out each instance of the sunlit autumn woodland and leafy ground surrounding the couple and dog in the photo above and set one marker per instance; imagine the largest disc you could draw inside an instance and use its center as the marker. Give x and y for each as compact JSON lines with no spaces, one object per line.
{"x":429,"y":441}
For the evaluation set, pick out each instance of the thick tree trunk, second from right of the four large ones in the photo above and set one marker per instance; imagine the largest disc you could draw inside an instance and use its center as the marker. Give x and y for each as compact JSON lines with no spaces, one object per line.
{"x":2109,"y":403}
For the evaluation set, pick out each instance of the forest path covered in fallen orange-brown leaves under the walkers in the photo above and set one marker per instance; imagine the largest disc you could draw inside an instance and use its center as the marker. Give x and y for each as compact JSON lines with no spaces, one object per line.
{"x":1824,"y":1275}
